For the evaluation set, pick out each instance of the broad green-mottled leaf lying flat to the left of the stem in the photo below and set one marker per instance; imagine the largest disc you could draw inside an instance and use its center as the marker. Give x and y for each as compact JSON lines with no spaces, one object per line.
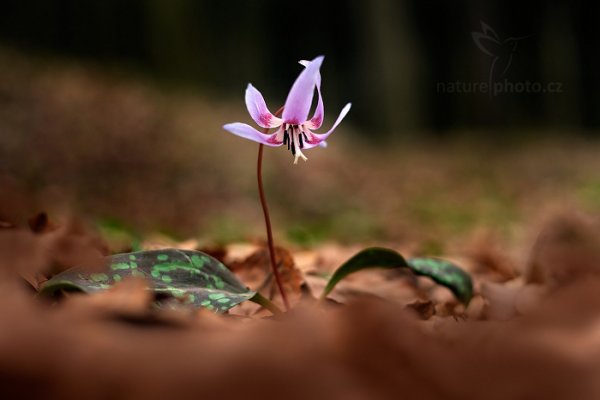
{"x":193,"y":277}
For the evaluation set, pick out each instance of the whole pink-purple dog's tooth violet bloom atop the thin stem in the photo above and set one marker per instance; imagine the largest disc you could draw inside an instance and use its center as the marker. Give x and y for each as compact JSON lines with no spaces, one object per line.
{"x":295,"y":131}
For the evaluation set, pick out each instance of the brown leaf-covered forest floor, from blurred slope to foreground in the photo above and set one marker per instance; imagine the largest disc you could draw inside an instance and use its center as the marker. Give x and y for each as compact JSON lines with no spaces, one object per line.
{"x":117,"y":164}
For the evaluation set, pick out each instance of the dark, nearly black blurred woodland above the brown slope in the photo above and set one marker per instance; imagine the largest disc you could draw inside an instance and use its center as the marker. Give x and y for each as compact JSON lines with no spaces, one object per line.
{"x":388,"y":57}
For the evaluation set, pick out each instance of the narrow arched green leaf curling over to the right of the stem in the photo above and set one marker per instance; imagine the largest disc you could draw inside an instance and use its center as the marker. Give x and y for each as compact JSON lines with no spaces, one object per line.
{"x":440,"y":271}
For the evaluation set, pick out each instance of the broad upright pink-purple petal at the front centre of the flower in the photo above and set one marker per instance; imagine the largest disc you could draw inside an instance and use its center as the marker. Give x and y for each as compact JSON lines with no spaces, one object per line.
{"x":299,"y":100}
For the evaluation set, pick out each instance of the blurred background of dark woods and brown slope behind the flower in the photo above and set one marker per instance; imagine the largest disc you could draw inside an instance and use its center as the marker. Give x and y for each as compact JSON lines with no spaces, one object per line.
{"x":467,"y":116}
